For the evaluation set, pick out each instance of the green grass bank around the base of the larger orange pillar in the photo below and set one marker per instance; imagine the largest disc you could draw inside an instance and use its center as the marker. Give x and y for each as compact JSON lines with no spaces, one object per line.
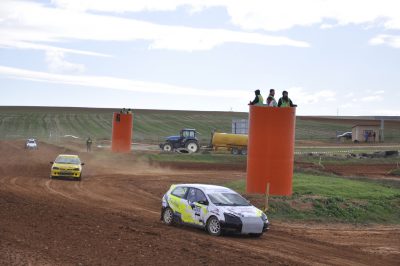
{"x":327,"y":198}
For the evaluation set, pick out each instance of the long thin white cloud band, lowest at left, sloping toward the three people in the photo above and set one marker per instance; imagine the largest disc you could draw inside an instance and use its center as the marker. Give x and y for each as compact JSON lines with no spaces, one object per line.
{"x":106,"y":82}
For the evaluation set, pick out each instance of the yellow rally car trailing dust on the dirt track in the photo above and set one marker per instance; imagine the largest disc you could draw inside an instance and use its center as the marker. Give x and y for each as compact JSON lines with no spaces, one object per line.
{"x":67,"y":166}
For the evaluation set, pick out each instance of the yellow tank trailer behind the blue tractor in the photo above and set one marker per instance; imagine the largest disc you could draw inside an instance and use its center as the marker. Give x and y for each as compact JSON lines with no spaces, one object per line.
{"x":236,"y":143}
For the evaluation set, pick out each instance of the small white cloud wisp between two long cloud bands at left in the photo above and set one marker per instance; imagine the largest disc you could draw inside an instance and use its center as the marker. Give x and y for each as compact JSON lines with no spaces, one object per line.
{"x":56,"y":63}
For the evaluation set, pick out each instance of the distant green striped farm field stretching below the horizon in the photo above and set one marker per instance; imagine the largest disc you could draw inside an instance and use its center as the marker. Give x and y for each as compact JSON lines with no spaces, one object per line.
{"x":152,"y":126}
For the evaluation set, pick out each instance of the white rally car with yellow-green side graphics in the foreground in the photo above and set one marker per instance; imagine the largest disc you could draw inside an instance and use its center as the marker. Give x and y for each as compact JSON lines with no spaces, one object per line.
{"x":215,"y":208}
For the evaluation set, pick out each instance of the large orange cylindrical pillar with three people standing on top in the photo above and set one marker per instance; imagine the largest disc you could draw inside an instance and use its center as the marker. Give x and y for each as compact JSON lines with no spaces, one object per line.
{"x":270,"y":151}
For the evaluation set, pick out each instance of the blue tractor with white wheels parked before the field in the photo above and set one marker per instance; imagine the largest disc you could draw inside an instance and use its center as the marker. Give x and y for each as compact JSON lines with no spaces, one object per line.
{"x":186,"y":140}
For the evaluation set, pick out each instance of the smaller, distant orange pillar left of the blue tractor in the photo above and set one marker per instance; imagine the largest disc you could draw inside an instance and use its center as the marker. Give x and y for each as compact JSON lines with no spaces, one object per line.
{"x":122,"y":132}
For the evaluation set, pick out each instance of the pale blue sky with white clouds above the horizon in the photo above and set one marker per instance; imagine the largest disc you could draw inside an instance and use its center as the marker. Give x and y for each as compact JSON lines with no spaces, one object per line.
{"x":334,"y":57}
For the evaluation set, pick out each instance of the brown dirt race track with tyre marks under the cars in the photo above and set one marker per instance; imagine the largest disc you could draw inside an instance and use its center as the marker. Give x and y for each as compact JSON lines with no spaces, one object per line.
{"x":112,"y":218}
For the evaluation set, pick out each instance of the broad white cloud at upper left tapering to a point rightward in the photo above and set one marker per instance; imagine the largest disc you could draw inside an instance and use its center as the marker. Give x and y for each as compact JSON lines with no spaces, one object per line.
{"x":33,"y":22}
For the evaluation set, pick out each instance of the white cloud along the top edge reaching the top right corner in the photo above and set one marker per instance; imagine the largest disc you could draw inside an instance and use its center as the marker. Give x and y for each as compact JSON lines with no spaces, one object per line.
{"x":269,"y":15}
